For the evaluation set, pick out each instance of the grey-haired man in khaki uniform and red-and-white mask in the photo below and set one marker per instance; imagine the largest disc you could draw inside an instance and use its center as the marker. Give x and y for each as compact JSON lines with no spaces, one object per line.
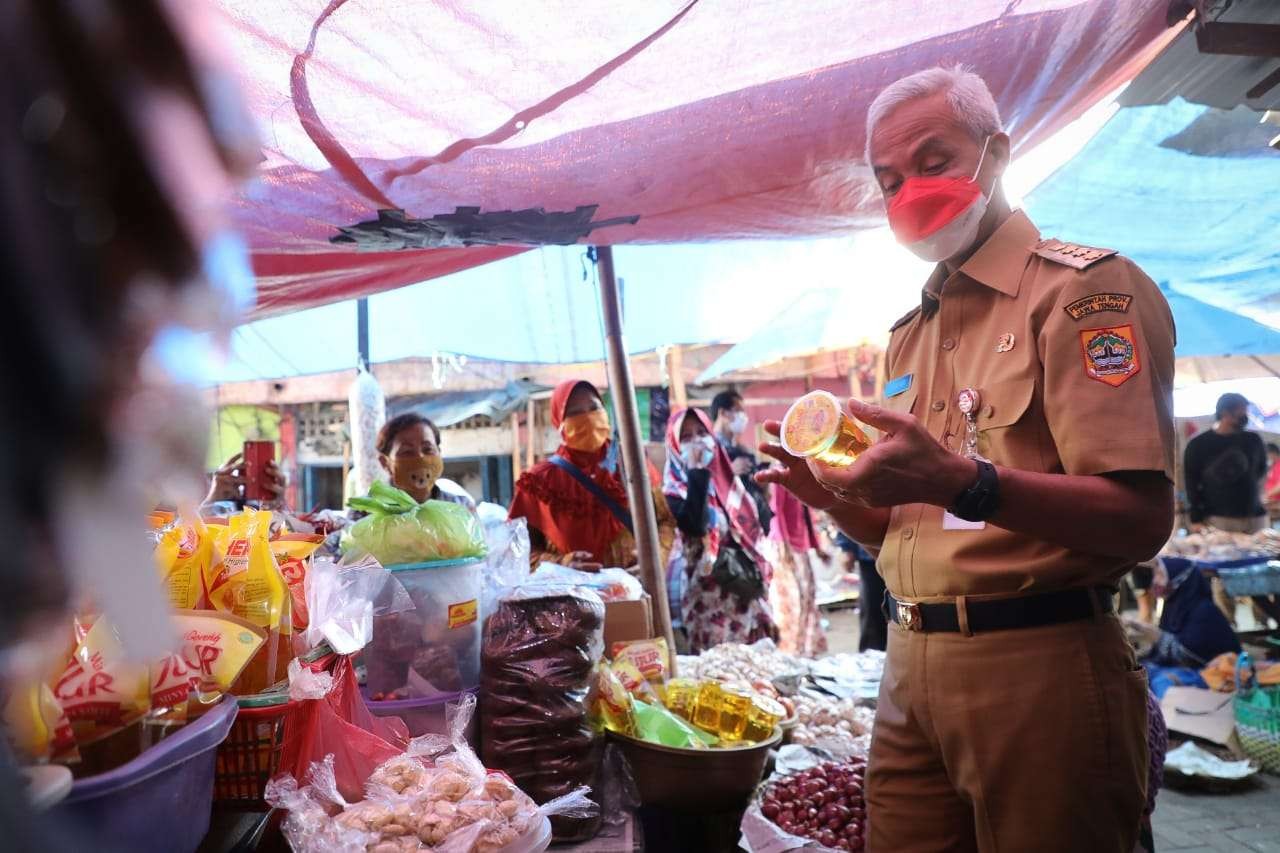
{"x":1025,"y":467}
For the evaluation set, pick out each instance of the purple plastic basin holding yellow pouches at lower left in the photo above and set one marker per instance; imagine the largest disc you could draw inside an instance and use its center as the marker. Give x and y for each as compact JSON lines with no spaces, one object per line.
{"x":163,"y":799}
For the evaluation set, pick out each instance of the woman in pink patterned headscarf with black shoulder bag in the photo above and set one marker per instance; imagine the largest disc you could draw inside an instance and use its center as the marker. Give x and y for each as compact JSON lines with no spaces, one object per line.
{"x":714,"y":516}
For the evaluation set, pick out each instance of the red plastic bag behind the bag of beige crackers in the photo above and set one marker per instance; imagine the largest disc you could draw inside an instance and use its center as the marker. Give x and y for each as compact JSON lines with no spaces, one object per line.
{"x":341,"y":726}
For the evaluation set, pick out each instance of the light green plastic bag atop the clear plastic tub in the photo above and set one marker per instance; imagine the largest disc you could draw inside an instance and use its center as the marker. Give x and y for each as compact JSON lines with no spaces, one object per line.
{"x":401,"y":531}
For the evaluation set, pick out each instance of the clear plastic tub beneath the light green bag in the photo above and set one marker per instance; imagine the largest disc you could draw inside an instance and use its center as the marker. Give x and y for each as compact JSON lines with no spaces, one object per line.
{"x":433,"y":650}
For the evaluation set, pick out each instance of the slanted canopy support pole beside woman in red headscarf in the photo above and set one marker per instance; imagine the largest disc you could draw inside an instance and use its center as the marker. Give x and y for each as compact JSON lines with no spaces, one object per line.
{"x":653,"y":569}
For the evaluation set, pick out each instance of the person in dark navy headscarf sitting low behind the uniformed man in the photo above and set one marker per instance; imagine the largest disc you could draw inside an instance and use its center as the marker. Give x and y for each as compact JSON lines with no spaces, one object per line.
{"x":1192,"y":630}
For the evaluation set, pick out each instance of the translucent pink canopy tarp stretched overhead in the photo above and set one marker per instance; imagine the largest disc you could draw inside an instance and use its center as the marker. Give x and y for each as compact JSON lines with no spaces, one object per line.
{"x":397,"y":134}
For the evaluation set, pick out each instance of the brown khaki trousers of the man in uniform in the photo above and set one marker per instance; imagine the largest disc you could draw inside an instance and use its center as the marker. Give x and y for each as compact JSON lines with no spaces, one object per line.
{"x":1031,"y":740}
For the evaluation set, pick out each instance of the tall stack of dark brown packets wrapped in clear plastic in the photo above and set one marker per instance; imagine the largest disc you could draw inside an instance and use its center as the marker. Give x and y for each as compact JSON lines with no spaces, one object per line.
{"x":541,"y":646}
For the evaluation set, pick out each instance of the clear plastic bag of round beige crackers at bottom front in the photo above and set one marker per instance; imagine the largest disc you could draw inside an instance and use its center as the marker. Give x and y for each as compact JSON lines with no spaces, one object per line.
{"x":436,"y":797}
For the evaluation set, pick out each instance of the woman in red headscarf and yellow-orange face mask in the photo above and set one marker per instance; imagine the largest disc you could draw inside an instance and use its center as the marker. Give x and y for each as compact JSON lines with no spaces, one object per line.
{"x":575,"y":503}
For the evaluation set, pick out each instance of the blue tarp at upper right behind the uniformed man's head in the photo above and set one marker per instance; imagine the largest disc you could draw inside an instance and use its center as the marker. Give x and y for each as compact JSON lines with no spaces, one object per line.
{"x":1206,"y":227}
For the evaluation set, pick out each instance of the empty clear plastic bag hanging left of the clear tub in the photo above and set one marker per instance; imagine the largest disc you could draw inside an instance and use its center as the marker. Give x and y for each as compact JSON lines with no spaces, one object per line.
{"x":345,"y":597}
